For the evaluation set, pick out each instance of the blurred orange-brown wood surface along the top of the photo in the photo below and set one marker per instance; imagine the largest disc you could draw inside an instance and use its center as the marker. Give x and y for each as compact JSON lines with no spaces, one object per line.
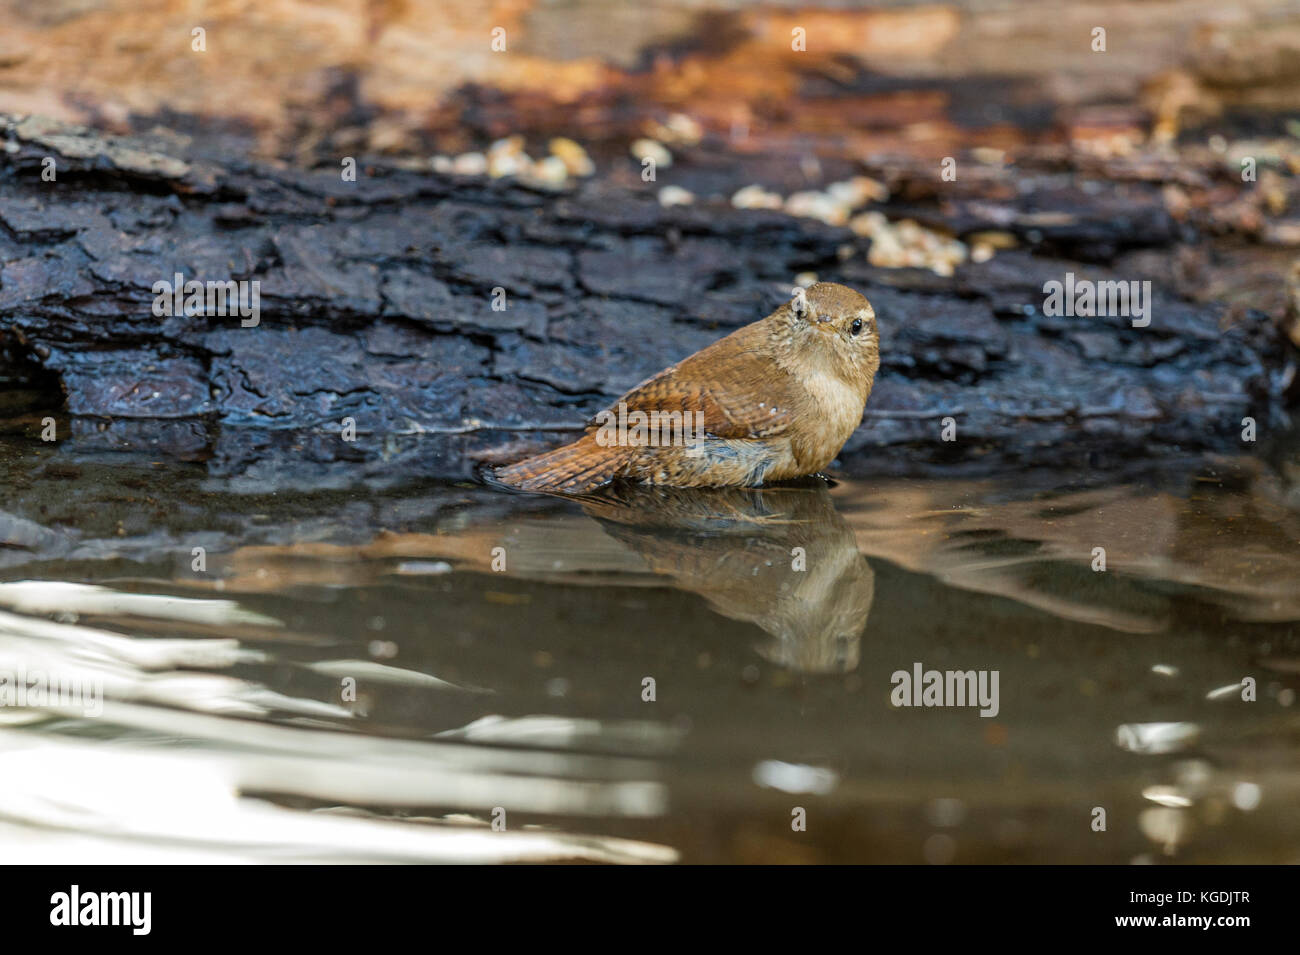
{"x":904,"y":77}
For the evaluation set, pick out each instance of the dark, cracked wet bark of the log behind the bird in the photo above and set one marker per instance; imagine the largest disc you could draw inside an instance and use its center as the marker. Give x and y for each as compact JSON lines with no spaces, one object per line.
{"x":376,"y":305}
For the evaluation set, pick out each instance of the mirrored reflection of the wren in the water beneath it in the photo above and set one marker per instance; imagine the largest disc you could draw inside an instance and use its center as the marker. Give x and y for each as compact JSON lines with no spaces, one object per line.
{"x":782,"y":558}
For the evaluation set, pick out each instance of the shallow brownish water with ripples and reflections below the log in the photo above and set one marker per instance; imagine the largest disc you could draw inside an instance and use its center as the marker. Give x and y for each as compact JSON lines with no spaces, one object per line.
{"x":365,"y":676}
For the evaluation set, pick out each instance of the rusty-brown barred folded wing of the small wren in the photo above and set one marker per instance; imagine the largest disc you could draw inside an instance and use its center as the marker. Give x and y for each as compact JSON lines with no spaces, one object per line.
{"x":734,"y":384}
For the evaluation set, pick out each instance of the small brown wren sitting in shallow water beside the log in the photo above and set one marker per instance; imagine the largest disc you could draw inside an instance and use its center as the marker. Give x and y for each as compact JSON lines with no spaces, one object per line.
{"x":773,"y":401}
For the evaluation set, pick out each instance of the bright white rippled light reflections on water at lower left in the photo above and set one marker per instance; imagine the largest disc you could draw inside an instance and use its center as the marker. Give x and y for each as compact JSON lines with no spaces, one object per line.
{"x":189,"y":775}
